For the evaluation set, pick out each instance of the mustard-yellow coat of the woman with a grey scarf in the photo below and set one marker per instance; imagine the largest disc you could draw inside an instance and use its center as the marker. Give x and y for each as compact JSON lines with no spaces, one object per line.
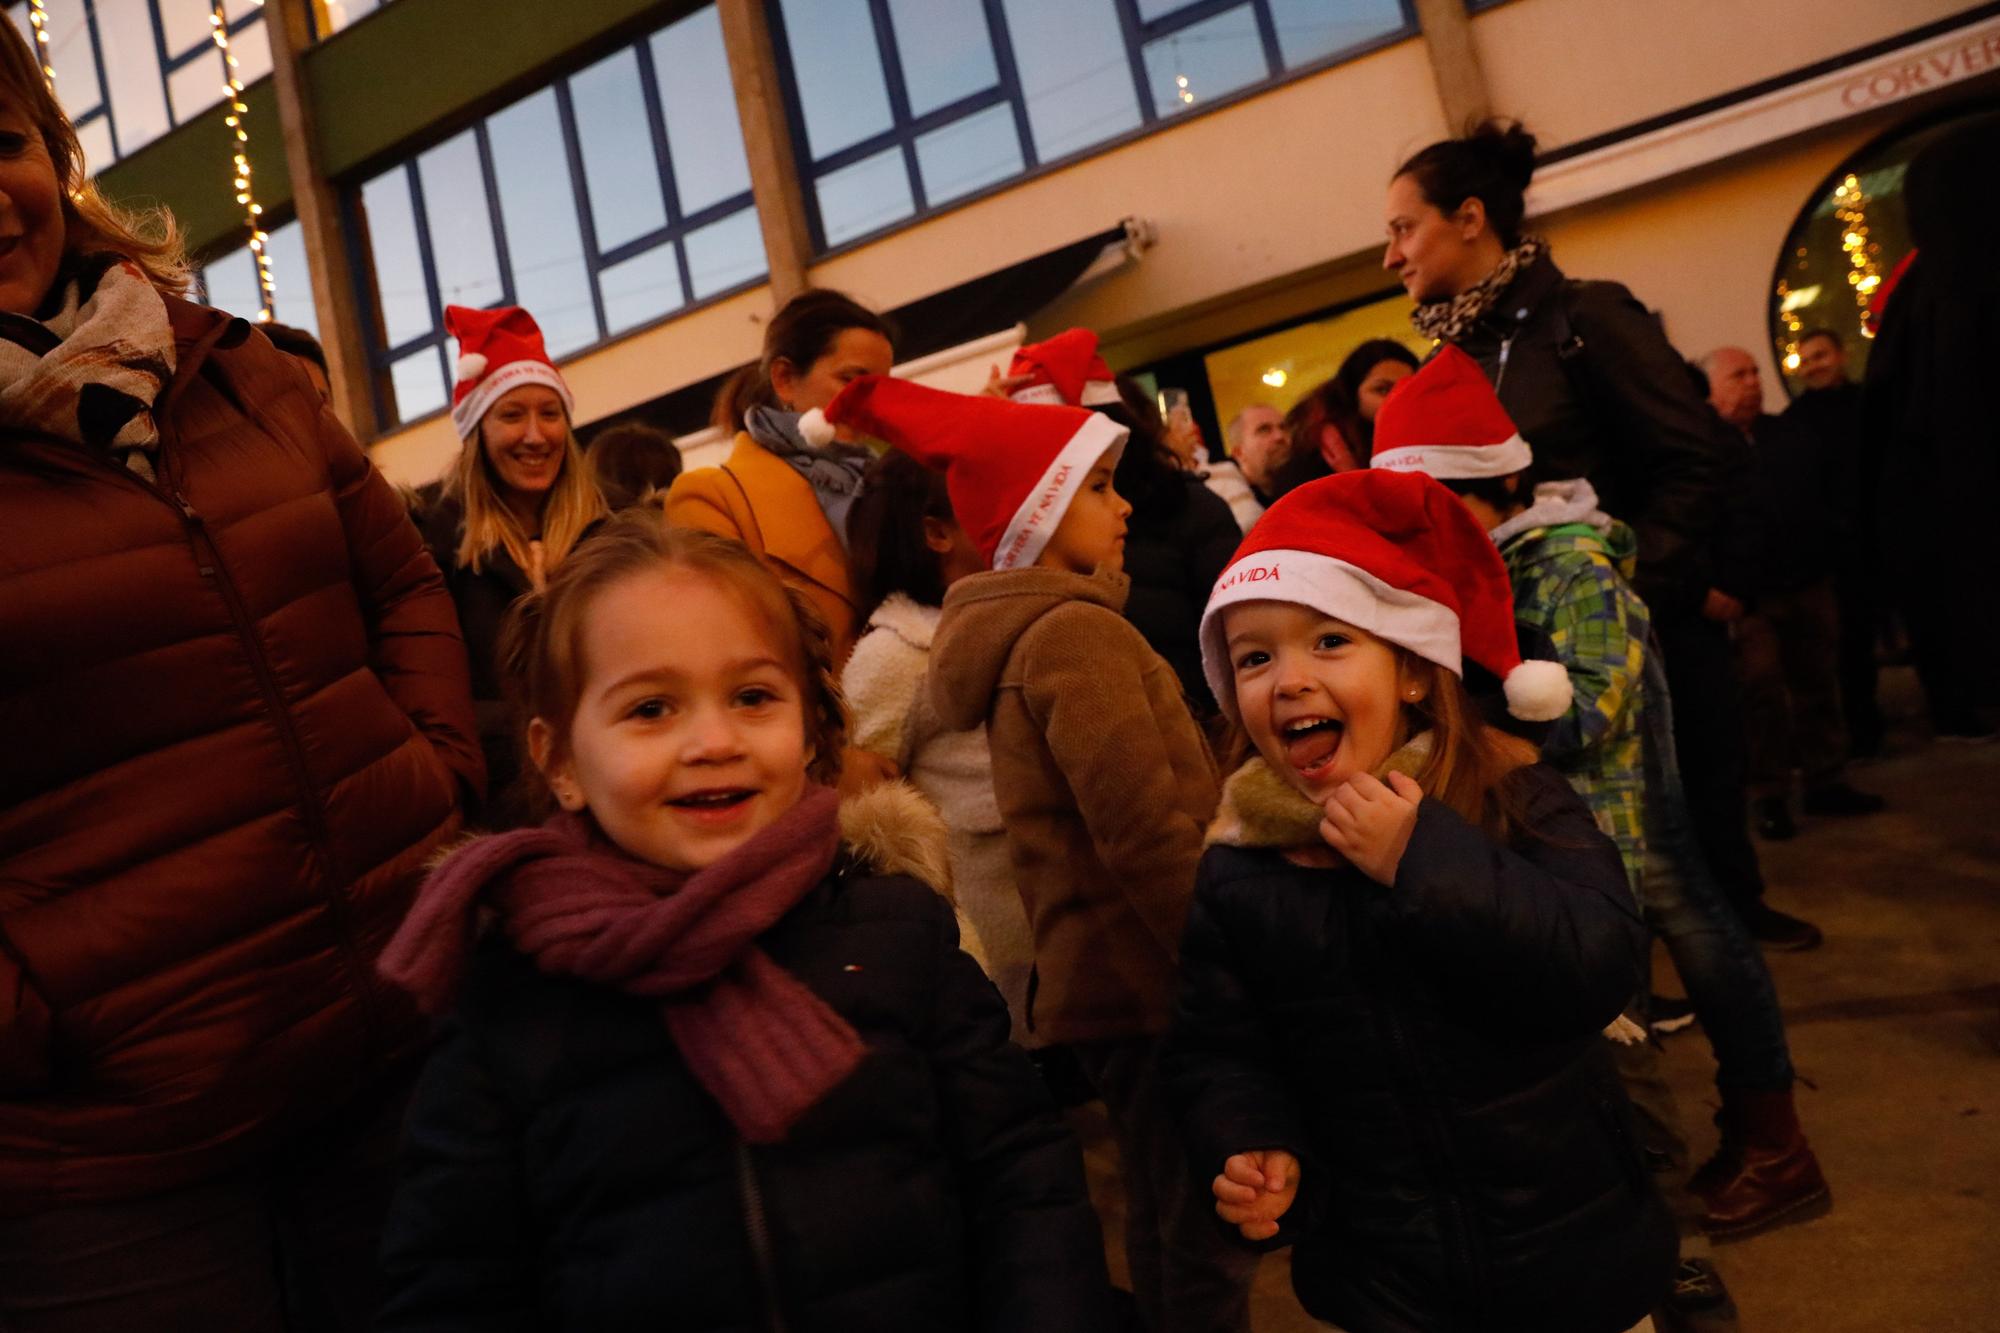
{"x":769,"y":507}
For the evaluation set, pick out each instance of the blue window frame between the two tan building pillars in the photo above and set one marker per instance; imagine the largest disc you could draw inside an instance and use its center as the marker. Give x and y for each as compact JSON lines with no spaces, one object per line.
{"x":677,"y":231}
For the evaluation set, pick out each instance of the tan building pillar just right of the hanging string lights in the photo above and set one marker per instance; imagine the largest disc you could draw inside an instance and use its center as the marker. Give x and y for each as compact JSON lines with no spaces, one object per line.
{"x":319,"y":217}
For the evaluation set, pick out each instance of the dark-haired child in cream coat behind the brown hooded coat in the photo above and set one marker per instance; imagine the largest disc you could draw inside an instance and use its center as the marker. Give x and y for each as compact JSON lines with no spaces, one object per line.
{"x":907,"y":551}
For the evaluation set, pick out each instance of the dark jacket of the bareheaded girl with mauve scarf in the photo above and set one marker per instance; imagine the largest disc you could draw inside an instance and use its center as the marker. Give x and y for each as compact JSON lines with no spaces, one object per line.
{"x":565,"y":1170}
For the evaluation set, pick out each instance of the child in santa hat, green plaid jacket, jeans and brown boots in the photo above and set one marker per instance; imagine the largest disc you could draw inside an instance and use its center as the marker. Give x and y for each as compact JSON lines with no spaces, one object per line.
{"x":1571,"y":569}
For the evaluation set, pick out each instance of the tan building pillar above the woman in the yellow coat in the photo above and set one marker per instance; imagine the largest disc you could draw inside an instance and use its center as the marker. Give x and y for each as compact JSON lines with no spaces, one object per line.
{"x":775,"y":183}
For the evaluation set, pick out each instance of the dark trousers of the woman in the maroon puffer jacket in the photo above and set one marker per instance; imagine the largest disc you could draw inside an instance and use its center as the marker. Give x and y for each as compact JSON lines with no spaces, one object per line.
{"x":289,"y":1248}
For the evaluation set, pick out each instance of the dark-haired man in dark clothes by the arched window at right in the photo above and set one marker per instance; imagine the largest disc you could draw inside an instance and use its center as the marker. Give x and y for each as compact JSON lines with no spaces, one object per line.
{"x":1831,"y":411}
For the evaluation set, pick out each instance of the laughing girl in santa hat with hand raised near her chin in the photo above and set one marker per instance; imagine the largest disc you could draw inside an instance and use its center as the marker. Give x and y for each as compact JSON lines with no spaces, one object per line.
{"x":1405,"y":944}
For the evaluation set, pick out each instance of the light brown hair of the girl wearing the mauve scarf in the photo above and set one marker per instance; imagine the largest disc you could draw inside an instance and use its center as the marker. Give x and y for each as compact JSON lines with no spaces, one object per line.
{"x":543,"y":639}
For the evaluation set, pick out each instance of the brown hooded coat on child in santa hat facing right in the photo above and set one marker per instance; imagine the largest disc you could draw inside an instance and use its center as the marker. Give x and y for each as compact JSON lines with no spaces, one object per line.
{"x":1105,"y":786}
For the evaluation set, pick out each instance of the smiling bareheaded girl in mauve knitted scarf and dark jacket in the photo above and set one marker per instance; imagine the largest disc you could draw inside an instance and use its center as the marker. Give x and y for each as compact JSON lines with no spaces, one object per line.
{"x":717,"y":1064}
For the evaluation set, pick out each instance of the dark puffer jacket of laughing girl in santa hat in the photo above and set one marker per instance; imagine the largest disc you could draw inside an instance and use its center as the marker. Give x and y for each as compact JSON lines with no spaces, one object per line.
{"x":1433,"y":1056}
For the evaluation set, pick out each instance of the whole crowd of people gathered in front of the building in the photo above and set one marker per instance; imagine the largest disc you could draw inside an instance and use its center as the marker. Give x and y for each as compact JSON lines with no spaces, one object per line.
{"x":589,"y":894}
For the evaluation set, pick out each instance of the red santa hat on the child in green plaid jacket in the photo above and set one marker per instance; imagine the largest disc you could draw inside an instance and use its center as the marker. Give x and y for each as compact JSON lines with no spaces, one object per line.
{"x":1449,"y":423}
